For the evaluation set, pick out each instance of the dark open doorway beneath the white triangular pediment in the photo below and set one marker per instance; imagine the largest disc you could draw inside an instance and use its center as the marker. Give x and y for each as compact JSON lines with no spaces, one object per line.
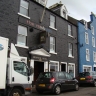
{"x":38,"y":68}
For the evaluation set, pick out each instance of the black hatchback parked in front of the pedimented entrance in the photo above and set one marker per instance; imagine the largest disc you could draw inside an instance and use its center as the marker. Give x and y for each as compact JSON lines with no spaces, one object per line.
{"x":56,"y":82}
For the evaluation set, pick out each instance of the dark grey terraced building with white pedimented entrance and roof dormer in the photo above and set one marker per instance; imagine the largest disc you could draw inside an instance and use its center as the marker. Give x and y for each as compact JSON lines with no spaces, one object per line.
{"x":46,"y":41}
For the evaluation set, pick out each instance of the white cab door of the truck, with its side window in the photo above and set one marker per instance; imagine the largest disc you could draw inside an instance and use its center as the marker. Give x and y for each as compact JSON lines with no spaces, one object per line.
{"x":19,"y":73}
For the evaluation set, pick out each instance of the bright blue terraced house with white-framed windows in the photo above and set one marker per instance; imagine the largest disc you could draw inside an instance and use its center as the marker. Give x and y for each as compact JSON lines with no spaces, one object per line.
{"x":87,"y":44}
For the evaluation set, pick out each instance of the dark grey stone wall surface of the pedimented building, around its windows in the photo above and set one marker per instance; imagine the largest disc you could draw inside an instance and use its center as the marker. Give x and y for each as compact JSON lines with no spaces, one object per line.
{"x":9,"y":21}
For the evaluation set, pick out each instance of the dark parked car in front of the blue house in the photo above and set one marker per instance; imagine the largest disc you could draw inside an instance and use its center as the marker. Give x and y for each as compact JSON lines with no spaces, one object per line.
{"x":87,"y":77}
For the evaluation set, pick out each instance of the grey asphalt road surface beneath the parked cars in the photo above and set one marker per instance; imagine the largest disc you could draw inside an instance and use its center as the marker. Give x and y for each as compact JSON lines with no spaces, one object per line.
{"x":83,"y":91}
